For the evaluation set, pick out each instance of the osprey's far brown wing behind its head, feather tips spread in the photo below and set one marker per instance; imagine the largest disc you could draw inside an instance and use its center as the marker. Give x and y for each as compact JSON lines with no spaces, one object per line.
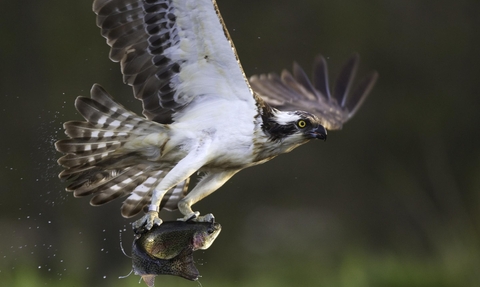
{"x":297,"y":92}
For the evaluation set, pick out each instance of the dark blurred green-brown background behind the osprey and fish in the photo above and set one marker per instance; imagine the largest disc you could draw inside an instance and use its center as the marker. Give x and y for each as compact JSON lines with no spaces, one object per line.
{"x":392,"y":200}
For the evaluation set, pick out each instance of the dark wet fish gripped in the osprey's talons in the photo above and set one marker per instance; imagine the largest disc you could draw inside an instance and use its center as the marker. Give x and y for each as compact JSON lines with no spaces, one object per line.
{"x":168,"y":249}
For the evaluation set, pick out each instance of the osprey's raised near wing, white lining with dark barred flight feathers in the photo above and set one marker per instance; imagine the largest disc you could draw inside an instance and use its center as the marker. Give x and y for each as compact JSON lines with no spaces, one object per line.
{"x":172,"y":51}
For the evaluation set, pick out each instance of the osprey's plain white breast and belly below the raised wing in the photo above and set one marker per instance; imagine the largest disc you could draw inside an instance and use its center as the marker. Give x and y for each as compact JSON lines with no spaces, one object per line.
{"x":228,"y":126}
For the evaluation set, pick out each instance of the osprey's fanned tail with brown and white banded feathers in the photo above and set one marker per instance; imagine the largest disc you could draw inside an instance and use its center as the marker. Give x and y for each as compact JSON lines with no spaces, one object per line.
{"x":103,"y":155}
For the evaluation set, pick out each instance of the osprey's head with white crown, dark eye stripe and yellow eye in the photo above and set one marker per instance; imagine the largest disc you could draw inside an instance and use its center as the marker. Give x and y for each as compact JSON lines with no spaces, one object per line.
{"x":294,"y":127}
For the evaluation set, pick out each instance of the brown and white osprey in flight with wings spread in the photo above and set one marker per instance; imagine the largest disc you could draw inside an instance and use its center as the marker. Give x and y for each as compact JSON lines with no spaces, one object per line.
{"x":201,"y":112}
